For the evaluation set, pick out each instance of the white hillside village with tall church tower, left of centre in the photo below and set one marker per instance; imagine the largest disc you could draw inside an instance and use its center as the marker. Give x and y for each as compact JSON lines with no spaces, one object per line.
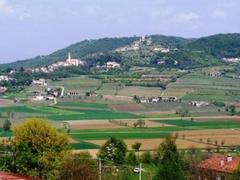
{"x":67,"y":63}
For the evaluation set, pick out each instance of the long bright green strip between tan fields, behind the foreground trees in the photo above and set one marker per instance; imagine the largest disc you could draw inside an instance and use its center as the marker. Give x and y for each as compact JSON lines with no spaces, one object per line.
{"x":148,"y":133}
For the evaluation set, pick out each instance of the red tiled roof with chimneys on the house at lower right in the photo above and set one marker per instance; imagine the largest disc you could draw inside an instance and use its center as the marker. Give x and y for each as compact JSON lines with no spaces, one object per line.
{"x":214,"y":164}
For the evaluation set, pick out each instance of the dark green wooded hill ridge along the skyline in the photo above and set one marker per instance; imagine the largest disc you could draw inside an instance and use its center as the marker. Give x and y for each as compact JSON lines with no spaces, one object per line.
{"x":189,"y":52}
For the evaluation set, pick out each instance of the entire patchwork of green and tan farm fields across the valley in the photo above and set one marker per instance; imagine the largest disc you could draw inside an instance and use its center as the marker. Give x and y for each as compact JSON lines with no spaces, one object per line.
{"x":111,"y":111}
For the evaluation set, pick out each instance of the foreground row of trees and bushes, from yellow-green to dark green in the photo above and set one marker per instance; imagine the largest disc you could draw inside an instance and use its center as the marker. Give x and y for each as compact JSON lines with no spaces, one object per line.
{"x":38,"y":150}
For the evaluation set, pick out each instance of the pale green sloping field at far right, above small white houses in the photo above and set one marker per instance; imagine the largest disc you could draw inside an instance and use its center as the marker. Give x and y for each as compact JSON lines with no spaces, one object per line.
{"x":205,"y":88}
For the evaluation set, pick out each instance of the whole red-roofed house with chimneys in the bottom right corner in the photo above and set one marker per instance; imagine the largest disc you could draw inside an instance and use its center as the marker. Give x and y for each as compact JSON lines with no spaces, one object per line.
{"x":217,"y":167}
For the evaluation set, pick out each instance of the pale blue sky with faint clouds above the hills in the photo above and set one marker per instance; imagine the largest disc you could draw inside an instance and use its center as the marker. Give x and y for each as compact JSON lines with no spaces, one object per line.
{"x":38,"y":27}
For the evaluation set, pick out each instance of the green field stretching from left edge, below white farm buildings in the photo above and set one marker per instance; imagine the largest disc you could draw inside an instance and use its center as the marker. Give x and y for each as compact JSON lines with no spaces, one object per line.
{"x":62,"y":114}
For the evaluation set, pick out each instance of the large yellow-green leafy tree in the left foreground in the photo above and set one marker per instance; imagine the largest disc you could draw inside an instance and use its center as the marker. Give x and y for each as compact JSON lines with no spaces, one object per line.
{"x":39,"y":149}
